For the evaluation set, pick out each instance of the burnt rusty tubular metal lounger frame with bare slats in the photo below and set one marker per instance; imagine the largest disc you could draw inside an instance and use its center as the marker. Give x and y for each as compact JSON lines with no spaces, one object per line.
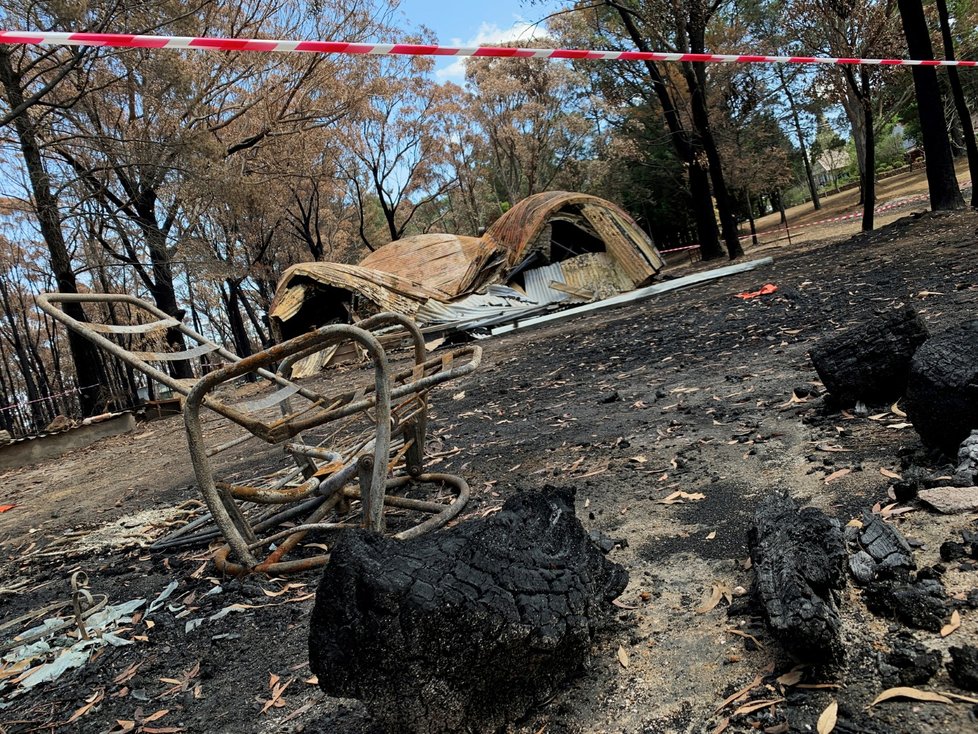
{"x":372,"y":460}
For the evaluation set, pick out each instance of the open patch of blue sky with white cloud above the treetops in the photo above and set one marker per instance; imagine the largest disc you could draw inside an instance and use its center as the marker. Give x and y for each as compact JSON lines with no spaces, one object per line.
{"x":474,"y":23}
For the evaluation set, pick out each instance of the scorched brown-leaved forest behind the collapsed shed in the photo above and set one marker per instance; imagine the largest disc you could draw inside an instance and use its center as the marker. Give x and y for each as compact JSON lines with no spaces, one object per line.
{"x":195,"y":179}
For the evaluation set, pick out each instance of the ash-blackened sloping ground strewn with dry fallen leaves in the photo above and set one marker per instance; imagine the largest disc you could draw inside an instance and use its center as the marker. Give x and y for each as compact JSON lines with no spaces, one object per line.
{"x":695,"y":391}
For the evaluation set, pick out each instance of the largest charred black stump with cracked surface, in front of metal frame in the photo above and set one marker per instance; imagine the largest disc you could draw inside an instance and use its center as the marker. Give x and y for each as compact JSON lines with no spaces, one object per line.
{"x":464,"y":629}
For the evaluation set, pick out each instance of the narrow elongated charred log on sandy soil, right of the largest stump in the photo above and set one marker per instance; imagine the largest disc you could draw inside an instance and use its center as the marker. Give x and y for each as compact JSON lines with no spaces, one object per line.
{"x":799,"y":561}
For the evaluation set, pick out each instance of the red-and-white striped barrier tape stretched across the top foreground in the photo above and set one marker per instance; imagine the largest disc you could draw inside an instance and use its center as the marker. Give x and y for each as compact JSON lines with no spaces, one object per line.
{"x":206,"y":43}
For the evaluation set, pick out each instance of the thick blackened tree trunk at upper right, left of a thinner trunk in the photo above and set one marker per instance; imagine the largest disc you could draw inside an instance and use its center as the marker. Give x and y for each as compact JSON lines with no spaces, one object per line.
{"x":938,"y":161}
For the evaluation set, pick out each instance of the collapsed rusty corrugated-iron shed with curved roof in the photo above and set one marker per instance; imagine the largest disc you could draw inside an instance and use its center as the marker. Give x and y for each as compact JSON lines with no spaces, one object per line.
{"x":549,"y":250}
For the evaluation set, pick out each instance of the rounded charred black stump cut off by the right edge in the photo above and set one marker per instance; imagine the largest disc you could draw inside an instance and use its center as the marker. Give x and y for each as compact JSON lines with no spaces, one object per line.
{"x":942,"y":392}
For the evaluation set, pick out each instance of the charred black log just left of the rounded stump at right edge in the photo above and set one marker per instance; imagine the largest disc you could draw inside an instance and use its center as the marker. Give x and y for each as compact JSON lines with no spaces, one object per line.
{"x":870,"y":360}
